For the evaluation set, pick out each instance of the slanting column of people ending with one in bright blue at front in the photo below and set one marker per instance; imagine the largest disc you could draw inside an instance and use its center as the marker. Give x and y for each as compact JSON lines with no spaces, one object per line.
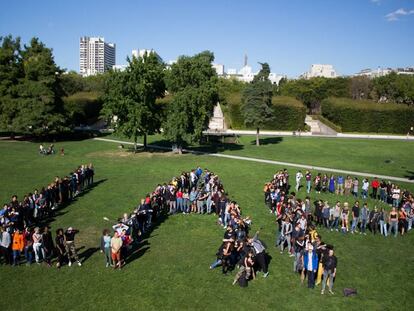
{"x":297,"y":234}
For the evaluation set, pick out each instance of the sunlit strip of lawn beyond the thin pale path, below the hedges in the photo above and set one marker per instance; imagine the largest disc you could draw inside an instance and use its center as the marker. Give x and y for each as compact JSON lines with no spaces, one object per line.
{"x":386,"y":157}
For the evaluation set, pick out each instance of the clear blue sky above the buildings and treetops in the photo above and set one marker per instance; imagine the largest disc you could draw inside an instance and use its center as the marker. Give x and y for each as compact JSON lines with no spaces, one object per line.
{"x":290,"y":35}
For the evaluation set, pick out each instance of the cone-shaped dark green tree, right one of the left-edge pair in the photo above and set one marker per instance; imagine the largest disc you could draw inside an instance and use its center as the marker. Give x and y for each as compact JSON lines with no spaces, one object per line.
{"x":37,"y":108}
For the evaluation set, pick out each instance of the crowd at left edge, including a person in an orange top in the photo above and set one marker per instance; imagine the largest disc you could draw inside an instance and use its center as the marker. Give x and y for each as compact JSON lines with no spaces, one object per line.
{"x":23,"y":224}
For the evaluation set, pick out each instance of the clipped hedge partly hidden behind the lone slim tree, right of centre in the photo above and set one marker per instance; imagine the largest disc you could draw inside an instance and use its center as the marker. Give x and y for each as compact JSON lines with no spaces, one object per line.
{"x":289,"y":113}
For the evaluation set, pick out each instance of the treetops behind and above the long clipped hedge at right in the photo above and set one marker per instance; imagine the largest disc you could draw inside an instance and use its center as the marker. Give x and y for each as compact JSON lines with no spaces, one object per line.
{"x":390,"y":88}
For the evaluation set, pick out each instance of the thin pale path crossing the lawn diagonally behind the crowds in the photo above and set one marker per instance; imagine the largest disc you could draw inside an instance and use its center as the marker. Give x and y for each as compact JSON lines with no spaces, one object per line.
{"x":273,"y":162}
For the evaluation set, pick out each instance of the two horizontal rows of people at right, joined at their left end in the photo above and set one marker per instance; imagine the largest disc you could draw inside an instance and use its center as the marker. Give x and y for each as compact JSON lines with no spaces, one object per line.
{"x":341,"y":216}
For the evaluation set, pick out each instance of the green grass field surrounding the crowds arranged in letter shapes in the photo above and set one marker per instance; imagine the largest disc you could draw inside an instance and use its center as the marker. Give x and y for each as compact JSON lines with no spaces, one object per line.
{"x":171,"y":269}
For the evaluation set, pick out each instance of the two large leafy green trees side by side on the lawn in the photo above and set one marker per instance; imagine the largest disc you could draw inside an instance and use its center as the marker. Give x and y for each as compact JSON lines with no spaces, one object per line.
{"x":130,"y":98}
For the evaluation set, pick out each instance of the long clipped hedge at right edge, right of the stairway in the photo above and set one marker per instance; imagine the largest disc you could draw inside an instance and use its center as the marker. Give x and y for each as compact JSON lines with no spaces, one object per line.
{"x":368,"y":116}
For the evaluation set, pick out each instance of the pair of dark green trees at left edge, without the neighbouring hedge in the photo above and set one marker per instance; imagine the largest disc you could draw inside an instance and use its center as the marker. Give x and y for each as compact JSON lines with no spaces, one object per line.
{"x":30,"y":89}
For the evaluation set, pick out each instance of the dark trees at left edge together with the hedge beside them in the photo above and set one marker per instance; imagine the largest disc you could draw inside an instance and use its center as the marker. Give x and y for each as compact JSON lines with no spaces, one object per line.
{"x":37,"y":98}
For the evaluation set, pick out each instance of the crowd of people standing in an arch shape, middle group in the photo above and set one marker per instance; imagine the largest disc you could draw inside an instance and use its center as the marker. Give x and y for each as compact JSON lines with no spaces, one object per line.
{"x":199,"y":192}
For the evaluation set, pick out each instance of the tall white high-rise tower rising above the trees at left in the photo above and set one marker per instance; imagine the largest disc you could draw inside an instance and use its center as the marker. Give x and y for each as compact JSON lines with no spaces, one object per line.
{"x":95,"y":55}
